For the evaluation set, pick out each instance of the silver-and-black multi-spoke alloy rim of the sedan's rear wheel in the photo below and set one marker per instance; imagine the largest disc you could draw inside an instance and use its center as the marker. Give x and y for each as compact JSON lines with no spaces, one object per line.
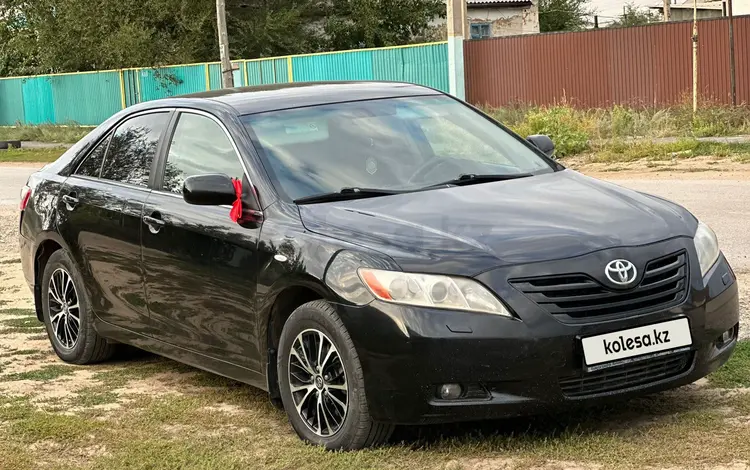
{"x":64,"y":309}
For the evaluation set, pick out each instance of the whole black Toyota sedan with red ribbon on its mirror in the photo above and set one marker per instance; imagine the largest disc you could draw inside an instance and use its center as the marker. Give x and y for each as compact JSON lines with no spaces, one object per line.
{"x":371,"y":254}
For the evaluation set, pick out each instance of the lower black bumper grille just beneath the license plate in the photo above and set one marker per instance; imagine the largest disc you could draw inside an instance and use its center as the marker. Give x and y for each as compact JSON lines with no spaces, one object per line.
{"x":626,"y":376}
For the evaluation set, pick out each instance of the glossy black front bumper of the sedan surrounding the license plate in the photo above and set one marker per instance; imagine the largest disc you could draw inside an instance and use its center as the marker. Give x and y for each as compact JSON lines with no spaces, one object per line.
{"x":406,"y":353}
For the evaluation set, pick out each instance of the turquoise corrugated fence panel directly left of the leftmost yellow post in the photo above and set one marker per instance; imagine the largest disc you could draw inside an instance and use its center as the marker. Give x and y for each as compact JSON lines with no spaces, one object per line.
{"x":100,"y":100}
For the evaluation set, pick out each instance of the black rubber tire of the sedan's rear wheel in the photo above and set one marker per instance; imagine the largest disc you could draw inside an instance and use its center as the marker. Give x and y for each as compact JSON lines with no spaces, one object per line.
{"x":88,"y":347}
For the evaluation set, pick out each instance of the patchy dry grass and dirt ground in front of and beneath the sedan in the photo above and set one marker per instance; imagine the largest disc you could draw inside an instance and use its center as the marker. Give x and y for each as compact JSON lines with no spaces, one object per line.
{"x":145,"y":412}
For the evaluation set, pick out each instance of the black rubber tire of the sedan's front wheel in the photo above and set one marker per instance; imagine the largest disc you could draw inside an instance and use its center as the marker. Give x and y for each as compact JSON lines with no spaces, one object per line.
{"x":357,"y":429}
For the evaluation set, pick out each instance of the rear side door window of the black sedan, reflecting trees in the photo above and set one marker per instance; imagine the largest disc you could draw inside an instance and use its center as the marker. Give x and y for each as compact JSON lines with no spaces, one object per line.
{"x":133,"y":148}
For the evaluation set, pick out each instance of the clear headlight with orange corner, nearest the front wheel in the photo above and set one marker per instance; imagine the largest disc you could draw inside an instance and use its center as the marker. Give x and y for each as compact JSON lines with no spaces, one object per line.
{"x":427,"y":290}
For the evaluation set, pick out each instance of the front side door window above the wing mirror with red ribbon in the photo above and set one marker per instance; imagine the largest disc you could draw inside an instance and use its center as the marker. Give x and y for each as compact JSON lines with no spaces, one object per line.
{"x":199,"y":146}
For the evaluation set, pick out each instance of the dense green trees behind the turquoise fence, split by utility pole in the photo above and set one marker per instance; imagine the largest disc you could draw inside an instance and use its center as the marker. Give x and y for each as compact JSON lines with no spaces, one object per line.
{"x":44,"y":36}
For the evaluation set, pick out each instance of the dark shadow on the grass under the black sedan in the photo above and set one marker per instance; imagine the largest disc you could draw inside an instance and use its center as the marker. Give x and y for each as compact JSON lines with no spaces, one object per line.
{"x":618,"y":418}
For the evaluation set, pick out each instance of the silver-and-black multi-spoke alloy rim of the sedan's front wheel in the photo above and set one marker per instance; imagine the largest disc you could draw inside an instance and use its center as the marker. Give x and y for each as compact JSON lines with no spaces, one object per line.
{"x":317,"y":381}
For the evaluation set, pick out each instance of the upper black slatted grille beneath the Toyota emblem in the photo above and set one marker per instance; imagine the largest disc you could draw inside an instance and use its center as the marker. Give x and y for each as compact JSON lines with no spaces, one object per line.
{"x":664,"y":284}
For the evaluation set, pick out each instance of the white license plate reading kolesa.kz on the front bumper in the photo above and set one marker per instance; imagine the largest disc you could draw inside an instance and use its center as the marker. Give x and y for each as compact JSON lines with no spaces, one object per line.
{"x":640,"y":343}
